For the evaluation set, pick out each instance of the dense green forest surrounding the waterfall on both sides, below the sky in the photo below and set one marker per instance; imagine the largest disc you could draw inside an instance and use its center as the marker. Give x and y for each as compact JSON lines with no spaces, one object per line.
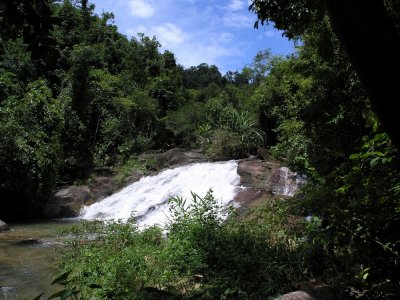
{"x":76,"y":95}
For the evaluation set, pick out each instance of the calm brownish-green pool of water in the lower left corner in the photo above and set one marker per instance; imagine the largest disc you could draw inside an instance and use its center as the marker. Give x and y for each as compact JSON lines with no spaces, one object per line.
{"x":27,"y":258}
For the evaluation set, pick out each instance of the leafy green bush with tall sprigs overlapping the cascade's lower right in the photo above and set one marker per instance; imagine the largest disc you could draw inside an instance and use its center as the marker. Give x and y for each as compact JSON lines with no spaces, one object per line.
{"x":225,"y":253}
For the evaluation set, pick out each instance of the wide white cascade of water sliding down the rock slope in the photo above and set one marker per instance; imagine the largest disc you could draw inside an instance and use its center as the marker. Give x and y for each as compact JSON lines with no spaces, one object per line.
{"x":147,"y":198}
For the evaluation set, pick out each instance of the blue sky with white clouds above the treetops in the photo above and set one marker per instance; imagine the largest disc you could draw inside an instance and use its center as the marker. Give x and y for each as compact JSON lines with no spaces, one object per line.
{"x":196,"y":31}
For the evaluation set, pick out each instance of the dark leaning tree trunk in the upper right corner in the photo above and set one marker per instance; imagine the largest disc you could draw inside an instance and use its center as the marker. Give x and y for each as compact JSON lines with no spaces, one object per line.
{"x":372,"y":42}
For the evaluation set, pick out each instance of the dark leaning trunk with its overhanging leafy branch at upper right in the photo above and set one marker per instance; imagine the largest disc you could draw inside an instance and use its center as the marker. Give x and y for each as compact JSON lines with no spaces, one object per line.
{"x":367,"y":31}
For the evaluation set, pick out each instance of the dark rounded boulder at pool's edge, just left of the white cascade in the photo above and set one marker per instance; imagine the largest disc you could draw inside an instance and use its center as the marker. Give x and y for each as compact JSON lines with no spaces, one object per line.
{"x":67,"y":202}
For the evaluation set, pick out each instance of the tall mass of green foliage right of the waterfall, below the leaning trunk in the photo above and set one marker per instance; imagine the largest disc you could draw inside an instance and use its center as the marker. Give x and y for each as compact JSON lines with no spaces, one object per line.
{"x":313,"y":108}
